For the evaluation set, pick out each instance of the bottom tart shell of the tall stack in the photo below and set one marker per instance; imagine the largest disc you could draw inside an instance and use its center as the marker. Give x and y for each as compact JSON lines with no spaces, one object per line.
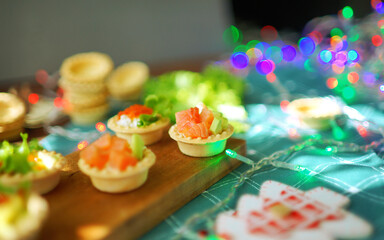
{"x":86,"y":116}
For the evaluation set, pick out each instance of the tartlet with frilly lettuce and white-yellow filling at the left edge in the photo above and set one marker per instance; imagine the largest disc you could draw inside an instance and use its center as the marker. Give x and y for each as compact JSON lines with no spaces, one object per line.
{"x":43,"y":170}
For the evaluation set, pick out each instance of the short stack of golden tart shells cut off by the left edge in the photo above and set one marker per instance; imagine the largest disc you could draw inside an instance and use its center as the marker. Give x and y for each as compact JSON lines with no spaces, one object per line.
{"x":12,"y":116}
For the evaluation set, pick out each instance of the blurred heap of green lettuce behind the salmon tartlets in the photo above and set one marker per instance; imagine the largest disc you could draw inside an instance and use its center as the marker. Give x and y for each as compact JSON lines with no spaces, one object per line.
{"x":215,"y":86}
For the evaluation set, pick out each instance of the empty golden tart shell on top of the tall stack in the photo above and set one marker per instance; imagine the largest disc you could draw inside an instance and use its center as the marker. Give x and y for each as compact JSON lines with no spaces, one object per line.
{"x":86,"y":67}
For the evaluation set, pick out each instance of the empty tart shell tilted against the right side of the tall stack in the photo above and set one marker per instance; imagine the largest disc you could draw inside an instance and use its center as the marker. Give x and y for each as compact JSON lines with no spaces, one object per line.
{"x":126,"y":82}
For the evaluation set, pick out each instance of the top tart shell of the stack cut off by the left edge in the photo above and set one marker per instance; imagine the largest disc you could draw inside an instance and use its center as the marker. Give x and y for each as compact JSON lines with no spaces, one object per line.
{"x":12,"y":109}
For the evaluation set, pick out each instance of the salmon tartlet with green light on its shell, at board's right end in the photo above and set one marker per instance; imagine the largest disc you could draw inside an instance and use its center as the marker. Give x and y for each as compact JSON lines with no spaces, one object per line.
{"x":194,"y":145}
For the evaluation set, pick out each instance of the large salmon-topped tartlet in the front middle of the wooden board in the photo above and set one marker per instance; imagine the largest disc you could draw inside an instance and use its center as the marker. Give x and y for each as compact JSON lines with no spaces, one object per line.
{"x":107,"y":175}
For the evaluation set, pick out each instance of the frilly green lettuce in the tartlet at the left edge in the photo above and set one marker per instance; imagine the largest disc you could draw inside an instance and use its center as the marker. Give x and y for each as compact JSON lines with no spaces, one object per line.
{"x":14,"y":157}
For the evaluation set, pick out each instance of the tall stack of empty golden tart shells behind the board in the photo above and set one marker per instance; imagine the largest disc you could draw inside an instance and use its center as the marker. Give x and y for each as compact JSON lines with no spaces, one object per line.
{"x":85,"y":93}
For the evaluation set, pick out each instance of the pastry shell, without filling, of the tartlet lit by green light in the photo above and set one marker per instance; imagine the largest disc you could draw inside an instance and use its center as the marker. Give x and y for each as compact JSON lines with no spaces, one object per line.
{"x":198,"y":147}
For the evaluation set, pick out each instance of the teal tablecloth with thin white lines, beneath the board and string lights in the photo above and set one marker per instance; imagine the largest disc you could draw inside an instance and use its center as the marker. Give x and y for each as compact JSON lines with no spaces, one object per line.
{"x":358,"y":176}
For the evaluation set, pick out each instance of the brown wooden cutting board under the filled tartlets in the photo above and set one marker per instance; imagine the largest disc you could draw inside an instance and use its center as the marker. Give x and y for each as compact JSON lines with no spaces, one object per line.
{"x":79,"y":211}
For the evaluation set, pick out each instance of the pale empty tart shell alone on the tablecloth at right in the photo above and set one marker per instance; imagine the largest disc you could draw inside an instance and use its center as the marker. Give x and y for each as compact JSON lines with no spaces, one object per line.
{"x":316,"y":113}
